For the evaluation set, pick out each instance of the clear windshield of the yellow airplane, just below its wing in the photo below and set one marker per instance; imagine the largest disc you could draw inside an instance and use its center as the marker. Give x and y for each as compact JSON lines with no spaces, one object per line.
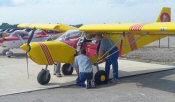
{"x":71,"y":34}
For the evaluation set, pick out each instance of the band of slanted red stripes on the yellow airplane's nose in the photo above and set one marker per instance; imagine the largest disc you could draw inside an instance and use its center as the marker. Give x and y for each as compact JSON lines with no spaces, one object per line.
{"x":46,"y":53}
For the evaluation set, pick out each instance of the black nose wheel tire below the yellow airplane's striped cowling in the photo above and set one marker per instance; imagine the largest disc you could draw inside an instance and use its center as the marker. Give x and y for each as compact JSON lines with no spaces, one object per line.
{"x":42,"y":77}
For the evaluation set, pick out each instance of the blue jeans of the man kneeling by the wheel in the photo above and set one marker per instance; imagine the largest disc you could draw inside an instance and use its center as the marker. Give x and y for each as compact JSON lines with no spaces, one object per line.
{"x":82,"y":77}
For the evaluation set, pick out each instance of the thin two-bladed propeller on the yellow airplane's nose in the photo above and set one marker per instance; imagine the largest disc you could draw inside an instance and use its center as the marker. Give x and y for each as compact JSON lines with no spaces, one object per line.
{"x":28,"y":44}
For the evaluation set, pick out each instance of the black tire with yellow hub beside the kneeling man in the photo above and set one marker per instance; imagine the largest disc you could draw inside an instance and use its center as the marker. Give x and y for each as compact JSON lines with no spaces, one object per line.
{"x":101,"y":77}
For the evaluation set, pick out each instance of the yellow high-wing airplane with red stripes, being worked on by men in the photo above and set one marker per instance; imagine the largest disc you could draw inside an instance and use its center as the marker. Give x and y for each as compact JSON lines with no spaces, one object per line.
{"x":128,"y":37}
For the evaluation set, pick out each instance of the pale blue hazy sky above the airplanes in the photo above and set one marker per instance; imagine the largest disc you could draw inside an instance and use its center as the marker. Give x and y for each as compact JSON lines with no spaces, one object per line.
{"x":82,"y":11}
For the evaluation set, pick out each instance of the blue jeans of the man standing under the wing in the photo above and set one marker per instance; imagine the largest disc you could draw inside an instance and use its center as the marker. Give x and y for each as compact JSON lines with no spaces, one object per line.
{"x":113,"y":59}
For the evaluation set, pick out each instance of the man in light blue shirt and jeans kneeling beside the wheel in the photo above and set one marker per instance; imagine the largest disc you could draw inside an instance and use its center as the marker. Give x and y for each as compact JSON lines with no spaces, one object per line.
{"x":83,"y":67}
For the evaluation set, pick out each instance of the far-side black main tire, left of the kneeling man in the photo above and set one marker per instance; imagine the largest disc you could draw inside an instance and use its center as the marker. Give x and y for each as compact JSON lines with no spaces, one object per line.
{"x":67,"y":70}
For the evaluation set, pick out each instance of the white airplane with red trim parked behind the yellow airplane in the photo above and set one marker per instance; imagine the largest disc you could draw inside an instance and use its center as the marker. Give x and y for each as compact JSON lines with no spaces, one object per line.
{"x":19,"y":37}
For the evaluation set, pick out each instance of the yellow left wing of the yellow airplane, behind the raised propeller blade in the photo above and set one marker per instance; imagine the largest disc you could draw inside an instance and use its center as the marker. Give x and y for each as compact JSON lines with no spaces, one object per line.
{"x":56,"y":27}
